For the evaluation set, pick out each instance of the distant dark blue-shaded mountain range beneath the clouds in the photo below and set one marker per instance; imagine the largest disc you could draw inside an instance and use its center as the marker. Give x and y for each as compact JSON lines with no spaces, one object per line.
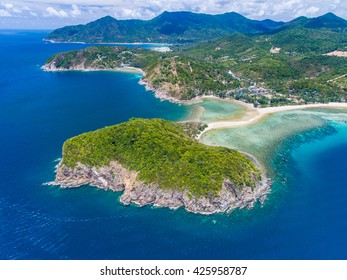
{"x":182,"y":27}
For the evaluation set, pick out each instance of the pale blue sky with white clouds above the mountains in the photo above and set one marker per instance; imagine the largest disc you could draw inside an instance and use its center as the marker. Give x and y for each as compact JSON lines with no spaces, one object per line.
{"x":50,"y":14}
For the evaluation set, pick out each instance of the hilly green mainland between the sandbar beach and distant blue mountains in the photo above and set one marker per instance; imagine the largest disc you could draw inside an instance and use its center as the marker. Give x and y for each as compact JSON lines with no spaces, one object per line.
{"x":292,"y":65}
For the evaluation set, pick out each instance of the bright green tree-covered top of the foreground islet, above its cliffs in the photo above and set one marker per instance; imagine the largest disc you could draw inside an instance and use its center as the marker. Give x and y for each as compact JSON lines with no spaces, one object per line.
{"x":162,"y":153}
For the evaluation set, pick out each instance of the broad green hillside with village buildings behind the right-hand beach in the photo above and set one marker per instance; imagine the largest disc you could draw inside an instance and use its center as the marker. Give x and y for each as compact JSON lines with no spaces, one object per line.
{"x":287,"y":67}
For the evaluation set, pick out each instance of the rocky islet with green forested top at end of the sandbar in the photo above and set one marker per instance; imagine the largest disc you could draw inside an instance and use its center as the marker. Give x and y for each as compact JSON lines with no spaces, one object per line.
{"x":158,"y":162}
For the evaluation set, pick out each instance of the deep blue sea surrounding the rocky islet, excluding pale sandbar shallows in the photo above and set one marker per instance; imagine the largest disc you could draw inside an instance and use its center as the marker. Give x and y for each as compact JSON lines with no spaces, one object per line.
{"x":304,"y":218}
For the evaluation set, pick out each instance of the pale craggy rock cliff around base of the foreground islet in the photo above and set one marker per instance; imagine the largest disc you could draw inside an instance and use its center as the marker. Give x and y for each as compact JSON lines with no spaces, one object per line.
{"x":116,"y":178}
